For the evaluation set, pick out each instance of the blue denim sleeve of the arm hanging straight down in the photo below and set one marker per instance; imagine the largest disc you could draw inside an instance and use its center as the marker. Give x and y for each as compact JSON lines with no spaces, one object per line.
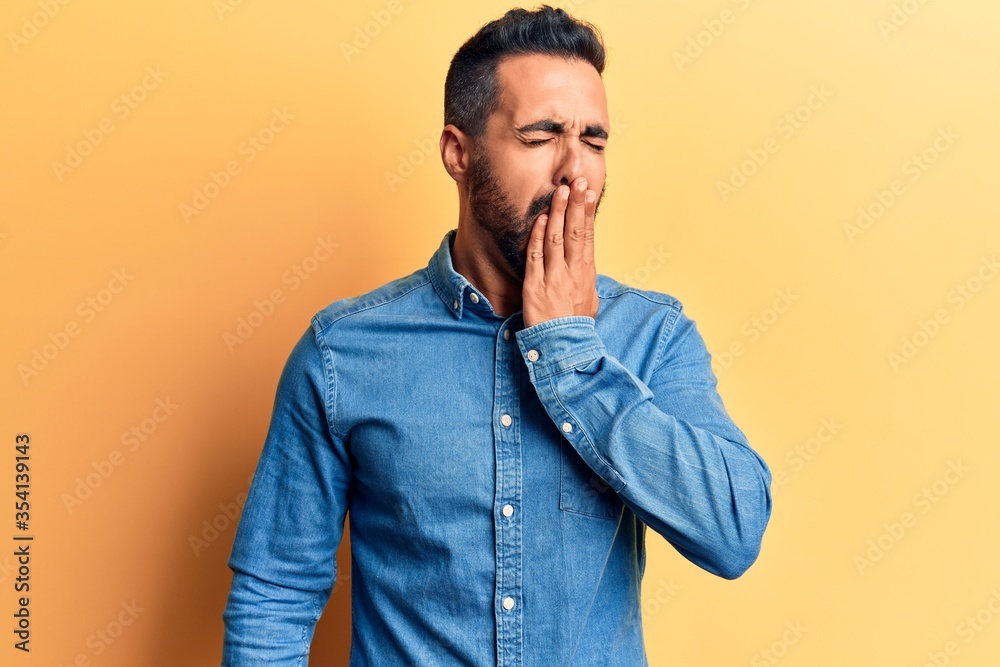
{"x":284,"y":554}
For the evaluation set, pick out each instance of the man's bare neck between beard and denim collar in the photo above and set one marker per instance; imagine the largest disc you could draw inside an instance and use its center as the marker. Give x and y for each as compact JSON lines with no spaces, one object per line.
{"x":479,"y":262}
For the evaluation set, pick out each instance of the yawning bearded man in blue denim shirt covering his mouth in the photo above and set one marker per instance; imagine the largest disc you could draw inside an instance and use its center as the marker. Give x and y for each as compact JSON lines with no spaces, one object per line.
{"x":502,"y":424}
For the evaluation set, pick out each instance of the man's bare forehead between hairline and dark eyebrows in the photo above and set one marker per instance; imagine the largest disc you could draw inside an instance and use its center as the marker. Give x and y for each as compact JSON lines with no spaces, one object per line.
{"x":538,"y":85}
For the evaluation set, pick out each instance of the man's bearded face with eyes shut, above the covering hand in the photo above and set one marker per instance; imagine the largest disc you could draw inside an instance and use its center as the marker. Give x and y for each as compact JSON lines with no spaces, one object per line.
{"x":551,"y":128}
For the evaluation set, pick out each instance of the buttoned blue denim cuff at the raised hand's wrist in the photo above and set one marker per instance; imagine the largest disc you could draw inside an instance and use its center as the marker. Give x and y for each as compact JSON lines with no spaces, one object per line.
{"x":560,"y":344}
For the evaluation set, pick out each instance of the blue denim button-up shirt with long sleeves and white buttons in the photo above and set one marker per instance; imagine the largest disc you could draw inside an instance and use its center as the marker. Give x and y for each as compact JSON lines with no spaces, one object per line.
{"x":498,"y":479}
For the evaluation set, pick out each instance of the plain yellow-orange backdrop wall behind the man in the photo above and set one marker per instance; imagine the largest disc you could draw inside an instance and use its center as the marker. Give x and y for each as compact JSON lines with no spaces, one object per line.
{"x":893,"y":75}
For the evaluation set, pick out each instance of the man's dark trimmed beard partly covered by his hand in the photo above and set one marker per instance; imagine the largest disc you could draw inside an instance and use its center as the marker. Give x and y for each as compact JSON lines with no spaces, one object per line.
{"x":496,"y":215}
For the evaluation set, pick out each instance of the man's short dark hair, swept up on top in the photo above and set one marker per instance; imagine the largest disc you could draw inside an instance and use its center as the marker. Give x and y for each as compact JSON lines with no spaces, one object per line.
{"x":472,"y":88}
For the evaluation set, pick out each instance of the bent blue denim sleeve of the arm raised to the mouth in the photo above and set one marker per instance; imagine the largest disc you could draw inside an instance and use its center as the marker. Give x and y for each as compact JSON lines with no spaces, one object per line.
{"x":667,"y":447}
